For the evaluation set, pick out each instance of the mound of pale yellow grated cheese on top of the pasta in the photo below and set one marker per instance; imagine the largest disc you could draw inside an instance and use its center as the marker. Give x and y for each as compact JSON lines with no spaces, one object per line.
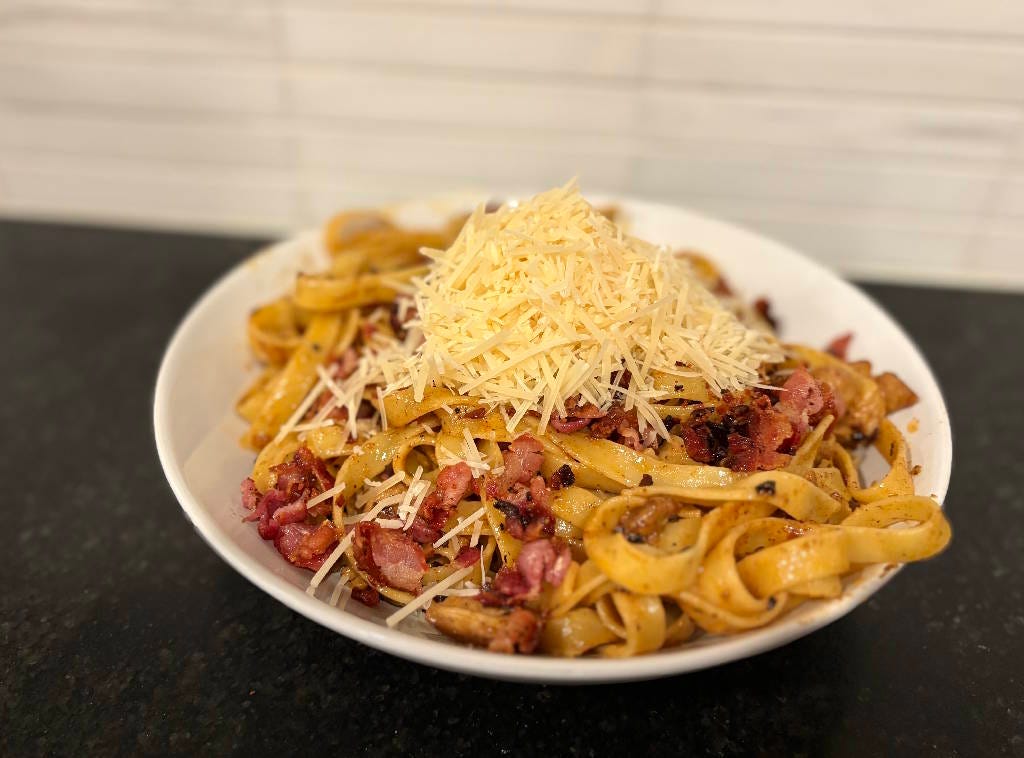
{"x":547,"y":300}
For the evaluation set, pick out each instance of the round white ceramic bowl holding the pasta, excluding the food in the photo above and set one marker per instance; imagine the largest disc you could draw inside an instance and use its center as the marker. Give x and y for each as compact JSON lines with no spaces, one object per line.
{"x":208,"y":363}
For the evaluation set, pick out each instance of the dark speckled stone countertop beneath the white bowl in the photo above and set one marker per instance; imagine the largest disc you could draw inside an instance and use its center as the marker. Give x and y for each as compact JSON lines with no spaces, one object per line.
{"x":121,"y":633}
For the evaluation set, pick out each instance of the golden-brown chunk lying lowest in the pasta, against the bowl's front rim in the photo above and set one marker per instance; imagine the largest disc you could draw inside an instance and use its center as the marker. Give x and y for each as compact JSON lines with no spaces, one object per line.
{"x":499,"y":630}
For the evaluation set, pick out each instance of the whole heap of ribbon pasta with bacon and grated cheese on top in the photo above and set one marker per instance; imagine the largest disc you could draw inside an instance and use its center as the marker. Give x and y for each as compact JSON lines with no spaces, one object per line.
{"x":538,"y":433}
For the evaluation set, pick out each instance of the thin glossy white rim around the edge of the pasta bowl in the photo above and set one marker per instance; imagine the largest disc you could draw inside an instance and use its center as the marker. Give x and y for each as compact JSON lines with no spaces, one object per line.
{"x":526,"y":668}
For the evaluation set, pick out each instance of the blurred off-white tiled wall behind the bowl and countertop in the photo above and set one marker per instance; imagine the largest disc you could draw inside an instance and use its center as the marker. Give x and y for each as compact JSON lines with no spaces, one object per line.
{"x":884,"y":139}
